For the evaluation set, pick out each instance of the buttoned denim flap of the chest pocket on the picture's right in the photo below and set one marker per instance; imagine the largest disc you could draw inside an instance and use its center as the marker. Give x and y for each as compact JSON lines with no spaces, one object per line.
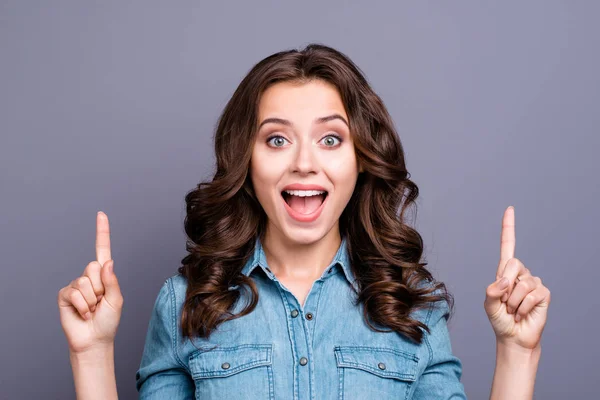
{"x":381,"y":361}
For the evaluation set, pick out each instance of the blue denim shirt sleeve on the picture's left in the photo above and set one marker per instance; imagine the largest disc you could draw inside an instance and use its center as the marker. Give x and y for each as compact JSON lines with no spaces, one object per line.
{"x":162,"y":374}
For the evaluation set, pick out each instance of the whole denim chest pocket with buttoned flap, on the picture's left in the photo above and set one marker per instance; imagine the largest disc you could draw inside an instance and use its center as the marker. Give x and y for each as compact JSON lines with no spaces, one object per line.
{"x":236,"y":372}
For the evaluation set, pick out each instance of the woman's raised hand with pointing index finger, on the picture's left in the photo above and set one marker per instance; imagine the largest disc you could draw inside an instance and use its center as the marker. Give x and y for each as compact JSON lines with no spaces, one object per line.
{"x":90,"y":306}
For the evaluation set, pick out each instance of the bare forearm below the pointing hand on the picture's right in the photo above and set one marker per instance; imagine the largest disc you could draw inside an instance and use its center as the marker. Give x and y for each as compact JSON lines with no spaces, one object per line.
{"x":514,"y":376}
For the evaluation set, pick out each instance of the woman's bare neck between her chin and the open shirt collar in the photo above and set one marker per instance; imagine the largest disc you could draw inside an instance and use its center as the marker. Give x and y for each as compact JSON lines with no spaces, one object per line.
{"x":288,"y":259}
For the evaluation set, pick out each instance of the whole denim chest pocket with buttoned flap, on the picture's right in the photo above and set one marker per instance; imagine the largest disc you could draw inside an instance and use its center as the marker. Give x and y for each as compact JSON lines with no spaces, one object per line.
{"x":375,"y":372}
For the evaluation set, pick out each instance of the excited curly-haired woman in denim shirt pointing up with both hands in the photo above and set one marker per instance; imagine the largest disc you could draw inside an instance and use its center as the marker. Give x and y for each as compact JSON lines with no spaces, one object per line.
{"x":303,"y":279}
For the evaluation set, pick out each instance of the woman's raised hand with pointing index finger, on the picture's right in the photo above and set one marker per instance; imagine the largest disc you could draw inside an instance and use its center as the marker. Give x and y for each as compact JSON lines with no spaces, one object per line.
{"x":517,"y":303}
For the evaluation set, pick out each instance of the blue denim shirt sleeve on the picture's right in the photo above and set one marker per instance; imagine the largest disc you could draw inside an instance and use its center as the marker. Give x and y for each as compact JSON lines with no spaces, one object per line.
{"x":441,"y":378}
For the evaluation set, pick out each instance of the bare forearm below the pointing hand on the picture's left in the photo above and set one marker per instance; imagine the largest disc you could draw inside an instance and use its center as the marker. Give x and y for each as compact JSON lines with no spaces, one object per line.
{"x":94,"y":375}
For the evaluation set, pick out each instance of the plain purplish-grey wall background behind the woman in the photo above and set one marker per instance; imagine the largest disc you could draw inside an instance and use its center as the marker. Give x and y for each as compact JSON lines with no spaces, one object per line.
{"x":111,"y":106}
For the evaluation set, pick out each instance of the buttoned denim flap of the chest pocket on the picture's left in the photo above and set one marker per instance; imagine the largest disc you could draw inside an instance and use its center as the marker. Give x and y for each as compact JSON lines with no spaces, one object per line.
{"x":226,"y":361}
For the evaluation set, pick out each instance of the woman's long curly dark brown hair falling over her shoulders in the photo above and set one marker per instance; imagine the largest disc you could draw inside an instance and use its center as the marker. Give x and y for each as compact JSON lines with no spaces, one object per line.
{"x":224,"y":217}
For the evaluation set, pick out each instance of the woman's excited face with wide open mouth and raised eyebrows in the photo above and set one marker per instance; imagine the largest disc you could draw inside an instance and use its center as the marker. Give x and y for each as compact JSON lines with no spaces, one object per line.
{"x":303,"y":165}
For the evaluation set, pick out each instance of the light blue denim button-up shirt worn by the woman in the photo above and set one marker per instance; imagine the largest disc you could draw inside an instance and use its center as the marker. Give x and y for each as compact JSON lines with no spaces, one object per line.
{"x":282,"y":350}
